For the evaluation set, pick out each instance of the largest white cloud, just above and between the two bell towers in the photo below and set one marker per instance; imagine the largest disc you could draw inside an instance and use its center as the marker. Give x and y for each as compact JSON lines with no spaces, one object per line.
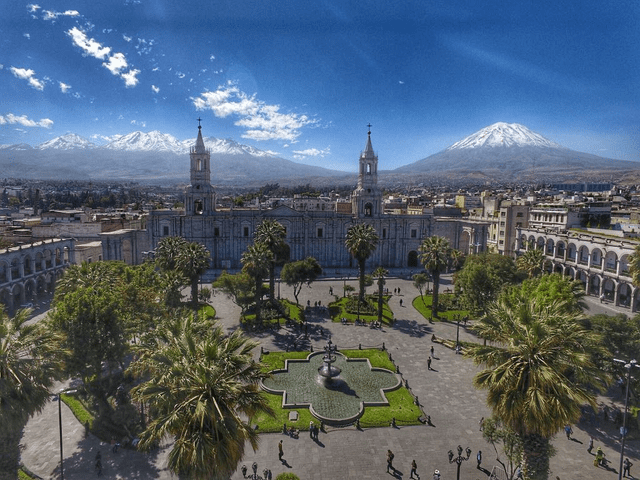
{"x":261,"y":121}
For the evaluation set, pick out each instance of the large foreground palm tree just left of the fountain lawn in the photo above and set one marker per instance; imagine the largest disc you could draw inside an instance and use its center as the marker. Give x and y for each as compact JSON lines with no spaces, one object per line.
{"x":202,"y":389}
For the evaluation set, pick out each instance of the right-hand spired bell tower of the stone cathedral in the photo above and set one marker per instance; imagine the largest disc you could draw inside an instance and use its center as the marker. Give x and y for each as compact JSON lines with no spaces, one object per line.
{"x":366,"y":200}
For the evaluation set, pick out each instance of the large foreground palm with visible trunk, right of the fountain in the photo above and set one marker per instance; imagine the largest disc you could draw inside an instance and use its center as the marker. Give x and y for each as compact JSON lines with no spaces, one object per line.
{"x":538,"y":372}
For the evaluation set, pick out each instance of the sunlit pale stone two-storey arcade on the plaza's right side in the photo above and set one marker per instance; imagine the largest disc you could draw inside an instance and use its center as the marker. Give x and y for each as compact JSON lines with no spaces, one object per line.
{"x":600,"y":263}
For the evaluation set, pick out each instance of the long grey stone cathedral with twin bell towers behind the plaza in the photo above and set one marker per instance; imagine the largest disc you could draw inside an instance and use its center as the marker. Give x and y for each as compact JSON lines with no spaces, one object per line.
{"x":227,"y":232}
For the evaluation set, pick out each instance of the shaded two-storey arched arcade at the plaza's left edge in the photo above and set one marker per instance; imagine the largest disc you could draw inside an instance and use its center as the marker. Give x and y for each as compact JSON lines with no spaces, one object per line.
{"x":28,"y":272}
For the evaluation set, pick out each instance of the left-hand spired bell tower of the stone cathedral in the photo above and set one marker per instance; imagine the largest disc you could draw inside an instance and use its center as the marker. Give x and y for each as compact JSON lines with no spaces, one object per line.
{"x":200,"y":198}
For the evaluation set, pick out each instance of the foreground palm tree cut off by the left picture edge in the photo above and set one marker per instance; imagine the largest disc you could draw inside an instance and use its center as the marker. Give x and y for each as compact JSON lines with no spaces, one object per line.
{"x":30,"y":359}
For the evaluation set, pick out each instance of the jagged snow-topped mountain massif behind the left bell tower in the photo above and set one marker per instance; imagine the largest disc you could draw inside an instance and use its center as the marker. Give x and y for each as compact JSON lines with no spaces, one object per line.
{"x":149,"y":157}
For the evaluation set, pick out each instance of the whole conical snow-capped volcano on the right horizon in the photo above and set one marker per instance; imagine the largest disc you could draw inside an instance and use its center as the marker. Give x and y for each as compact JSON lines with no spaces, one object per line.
{"x":512,"y":152}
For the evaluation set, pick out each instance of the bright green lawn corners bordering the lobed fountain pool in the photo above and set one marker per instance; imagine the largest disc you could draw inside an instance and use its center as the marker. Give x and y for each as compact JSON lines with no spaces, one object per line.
{"x":401,"y":404}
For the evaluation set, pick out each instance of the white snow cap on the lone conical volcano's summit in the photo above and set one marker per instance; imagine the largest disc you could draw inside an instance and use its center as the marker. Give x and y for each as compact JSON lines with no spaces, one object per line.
{"x":504,"y":135}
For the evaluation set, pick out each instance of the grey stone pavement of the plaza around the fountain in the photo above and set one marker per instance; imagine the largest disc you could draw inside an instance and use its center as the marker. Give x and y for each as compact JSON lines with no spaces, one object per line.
{"x":446,"y":393}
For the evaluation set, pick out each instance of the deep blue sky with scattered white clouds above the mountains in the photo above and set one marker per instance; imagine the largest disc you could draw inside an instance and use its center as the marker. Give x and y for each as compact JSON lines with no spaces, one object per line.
{"x":303,"y":79}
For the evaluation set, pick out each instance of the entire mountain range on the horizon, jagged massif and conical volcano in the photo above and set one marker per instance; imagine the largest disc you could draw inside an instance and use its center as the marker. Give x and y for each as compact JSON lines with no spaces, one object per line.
{"x":501,"y":152}
